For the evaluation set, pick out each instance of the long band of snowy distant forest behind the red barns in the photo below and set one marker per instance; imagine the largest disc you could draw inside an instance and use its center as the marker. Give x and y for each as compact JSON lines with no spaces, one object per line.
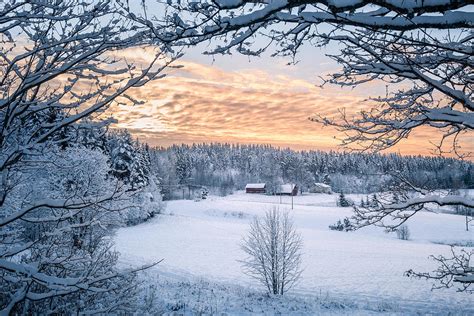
{"x":224,"y":168}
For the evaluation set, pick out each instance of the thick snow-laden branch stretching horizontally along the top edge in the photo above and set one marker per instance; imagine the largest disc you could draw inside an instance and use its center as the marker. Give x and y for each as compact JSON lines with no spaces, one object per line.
{"x":191,"y":22}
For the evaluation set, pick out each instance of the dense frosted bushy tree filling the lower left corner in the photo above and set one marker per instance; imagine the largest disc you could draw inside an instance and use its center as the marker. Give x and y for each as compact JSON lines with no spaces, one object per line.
{"x":59,"y":250}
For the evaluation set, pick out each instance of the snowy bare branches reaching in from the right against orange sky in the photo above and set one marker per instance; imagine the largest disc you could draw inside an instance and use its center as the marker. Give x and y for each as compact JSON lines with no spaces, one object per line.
{"x":434,"y":89}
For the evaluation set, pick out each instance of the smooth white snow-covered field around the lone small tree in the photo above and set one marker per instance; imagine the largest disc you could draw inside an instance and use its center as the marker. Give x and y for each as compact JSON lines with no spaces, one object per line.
{"x":364,"y":269}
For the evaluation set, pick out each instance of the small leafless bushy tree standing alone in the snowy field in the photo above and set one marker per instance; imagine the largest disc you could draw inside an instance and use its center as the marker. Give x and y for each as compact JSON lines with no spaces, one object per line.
{"x":273,"y":248}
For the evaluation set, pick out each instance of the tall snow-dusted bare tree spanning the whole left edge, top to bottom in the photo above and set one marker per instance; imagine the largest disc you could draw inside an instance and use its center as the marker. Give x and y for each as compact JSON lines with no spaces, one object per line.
{"x":62,"y":63}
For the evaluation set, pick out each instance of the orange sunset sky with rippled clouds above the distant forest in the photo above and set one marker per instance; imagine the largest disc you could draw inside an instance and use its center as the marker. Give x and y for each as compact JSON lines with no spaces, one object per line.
{"x":240,"y":100}
